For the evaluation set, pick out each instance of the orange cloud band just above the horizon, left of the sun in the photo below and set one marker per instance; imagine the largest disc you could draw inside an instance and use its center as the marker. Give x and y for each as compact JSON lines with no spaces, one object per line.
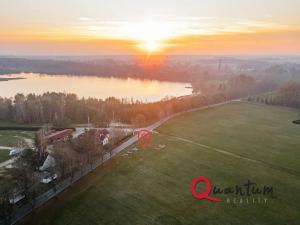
{"x":67,"y":46}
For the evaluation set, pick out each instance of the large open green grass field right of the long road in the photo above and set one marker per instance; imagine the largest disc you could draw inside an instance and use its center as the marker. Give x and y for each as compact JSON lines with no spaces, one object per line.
{"x":229,"y":144}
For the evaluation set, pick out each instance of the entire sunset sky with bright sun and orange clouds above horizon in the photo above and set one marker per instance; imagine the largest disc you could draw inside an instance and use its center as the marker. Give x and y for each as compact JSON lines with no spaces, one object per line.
{"x":77,"y":27}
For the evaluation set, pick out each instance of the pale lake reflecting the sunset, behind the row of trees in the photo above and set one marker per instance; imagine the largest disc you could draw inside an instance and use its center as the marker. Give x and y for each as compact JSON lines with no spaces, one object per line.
{"x":92,"y":86}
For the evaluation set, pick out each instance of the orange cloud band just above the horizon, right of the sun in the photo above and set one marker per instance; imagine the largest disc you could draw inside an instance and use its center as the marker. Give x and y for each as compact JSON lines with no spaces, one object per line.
{"x":264,"y":42}
